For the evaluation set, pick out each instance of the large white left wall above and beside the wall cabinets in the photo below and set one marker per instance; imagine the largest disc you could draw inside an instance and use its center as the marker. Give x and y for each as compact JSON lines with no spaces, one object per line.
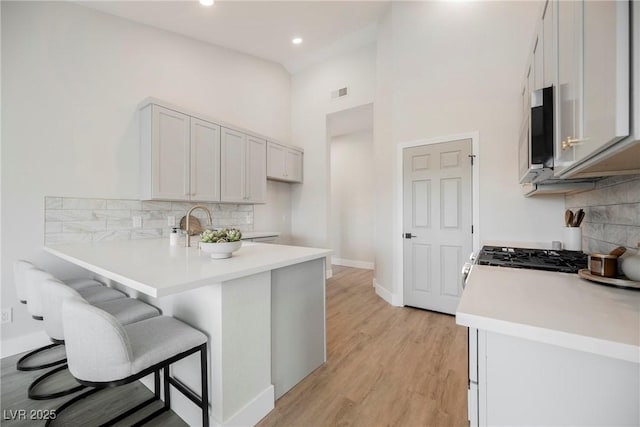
{"x":72,"y":79}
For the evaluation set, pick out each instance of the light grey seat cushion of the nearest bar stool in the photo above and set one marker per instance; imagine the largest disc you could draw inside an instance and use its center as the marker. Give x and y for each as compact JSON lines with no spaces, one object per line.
{"x":158,"y":339}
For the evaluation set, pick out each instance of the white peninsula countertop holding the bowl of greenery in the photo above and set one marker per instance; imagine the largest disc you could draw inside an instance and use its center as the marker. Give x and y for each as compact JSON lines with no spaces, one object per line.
{"x":154,"y":268}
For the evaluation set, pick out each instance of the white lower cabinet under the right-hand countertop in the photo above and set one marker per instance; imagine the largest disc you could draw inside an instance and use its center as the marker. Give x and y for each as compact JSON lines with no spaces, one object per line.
{"x":523,"y":382}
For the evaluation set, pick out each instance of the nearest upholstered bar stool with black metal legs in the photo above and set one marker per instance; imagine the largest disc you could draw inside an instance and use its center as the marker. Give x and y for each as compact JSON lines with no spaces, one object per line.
{"x":104,"y":353}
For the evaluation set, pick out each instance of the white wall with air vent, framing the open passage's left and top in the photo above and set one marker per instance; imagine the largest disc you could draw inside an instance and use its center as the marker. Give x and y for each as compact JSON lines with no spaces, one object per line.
{"x":310,"y":104}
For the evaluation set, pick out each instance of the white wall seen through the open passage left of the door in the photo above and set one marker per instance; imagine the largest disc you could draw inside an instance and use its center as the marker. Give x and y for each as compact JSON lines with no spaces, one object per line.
{"x":352,"y":198}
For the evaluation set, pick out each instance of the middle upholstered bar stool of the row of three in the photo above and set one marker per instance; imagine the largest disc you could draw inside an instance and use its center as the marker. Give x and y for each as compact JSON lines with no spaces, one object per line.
{"x":125,"y":310}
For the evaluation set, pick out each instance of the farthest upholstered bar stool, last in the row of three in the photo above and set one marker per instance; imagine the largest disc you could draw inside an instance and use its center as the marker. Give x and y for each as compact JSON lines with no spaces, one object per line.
{"x":25,"y":274}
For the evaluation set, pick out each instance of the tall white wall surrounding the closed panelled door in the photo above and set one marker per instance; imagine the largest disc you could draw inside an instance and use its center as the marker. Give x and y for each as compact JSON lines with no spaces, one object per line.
{"x":449,"y":68}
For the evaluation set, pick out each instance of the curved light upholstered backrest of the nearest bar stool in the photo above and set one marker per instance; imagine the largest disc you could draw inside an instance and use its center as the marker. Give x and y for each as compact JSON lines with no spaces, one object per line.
{"x":98,"y":348}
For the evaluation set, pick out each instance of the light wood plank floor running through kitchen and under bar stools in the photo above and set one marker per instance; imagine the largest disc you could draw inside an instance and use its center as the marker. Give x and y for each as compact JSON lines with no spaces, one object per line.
{"x":386,"y":366}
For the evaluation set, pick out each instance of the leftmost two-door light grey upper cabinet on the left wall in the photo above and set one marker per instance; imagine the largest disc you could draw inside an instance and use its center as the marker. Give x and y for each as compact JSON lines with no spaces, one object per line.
{"x":180,"y":156}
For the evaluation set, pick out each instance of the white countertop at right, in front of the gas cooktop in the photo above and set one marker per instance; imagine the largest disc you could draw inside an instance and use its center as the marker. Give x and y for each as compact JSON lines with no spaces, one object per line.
{"x":554,"y":308}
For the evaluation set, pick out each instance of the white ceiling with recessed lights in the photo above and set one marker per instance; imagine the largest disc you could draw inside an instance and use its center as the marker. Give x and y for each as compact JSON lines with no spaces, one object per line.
{"x":261,"y":28}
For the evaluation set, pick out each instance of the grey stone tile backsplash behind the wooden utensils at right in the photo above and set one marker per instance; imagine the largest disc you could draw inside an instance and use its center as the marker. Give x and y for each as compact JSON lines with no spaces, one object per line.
{"x":612,"y":214}
